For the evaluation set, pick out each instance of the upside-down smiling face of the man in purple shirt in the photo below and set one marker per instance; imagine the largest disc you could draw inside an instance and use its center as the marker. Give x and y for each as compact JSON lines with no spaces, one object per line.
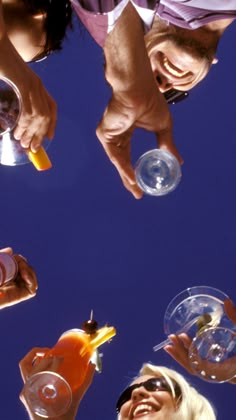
{"x":179,"y":58}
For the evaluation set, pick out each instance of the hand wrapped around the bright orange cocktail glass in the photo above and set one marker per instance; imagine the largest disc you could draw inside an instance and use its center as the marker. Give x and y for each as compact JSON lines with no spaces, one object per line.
{"x":27,"y":368}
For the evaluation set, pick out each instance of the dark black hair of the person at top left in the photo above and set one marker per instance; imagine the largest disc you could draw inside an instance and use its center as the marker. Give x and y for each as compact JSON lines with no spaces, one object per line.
{"x":58,"y":19}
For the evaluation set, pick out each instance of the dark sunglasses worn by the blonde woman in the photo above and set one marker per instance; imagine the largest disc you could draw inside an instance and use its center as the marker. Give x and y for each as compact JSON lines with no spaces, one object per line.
{"x":151,"y":385}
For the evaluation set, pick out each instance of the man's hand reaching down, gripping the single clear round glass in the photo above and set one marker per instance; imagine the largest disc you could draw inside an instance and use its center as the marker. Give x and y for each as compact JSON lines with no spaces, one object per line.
{"x":123,"y":114}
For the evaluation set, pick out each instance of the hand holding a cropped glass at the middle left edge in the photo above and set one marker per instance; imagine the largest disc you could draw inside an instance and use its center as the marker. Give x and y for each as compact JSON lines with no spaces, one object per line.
{"x":23,"y":287}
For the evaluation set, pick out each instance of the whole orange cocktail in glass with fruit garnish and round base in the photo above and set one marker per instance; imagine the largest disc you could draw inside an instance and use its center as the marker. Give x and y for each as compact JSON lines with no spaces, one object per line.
{"x":49,"y":393}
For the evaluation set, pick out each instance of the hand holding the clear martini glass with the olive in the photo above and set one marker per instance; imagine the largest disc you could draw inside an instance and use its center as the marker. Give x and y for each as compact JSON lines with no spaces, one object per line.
{"x":179,"y":348}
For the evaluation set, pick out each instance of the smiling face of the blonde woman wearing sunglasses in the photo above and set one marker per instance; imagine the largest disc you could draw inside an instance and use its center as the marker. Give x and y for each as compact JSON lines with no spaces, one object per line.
{"x":148,"y":405}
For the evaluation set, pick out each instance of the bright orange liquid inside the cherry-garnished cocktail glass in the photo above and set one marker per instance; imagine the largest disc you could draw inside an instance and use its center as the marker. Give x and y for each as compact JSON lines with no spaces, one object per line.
{"x":73,"y":366}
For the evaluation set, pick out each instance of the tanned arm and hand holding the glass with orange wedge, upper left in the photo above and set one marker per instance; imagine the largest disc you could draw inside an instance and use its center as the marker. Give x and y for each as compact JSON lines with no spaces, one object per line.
{"x":38,"y":116}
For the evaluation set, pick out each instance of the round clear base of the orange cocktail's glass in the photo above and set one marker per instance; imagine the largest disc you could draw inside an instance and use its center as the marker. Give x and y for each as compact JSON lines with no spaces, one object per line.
{"x":48,"y":394}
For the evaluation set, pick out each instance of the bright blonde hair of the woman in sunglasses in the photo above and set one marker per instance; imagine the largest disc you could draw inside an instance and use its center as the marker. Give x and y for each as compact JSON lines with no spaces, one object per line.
{"x":193,"y":405}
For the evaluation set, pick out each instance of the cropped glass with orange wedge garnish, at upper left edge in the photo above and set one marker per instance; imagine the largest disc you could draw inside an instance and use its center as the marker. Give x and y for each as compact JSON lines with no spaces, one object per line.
{"x":11,"y":151}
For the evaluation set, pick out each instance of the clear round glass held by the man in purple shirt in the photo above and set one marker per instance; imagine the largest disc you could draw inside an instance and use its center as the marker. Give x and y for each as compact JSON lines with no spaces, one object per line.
{"x":157,"y":172}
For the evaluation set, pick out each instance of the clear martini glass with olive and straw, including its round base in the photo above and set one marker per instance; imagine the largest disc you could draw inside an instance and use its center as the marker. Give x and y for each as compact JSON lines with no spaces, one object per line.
{"x":199,"y":312}
